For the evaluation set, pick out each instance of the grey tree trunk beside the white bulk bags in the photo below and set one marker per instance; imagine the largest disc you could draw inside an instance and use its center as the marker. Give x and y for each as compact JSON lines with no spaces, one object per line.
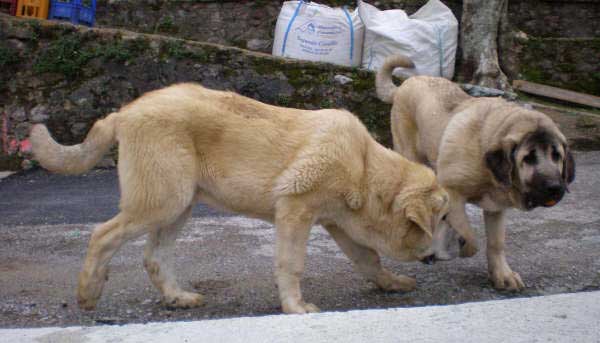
{"x":482,"y":23}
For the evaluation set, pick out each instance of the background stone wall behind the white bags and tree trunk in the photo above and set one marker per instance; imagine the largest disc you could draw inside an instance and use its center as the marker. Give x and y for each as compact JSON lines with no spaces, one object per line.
{"x":250,"y":25}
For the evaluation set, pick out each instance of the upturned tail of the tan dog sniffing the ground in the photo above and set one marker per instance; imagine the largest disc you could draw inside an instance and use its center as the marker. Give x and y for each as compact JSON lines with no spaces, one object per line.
{"x":74,"y":159}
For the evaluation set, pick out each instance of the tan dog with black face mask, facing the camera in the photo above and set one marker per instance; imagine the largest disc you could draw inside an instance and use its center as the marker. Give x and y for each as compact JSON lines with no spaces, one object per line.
{"x":485,"y":151}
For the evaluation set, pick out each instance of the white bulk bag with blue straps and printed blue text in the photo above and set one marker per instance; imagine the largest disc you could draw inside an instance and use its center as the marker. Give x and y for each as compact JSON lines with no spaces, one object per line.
{"x":314,"y":32}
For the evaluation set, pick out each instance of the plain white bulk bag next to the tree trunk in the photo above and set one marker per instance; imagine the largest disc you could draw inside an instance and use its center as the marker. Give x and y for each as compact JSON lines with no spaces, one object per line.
{"x":428,"y":37}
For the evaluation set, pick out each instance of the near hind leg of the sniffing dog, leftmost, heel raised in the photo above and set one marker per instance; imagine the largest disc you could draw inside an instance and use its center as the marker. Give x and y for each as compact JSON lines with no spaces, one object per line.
{"x":104,"y":243}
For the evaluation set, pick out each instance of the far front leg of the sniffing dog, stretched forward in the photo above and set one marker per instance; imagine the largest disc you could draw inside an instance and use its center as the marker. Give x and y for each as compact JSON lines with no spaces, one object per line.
{"x":367,"y":262}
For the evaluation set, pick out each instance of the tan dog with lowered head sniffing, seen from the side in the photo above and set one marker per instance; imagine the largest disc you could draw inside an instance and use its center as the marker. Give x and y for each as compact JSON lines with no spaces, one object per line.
{"x":295,"y":168}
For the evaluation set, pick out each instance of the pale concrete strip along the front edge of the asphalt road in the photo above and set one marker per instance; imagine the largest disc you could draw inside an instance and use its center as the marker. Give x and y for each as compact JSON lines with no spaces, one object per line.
{"x":556,"y":318}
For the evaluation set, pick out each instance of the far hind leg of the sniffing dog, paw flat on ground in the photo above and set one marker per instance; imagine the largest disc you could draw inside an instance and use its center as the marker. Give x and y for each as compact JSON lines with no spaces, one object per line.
{"x":159,"y":259}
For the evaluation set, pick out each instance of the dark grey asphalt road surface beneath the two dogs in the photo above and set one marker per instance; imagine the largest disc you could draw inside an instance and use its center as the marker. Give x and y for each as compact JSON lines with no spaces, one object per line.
{"x":46,"y":220}
